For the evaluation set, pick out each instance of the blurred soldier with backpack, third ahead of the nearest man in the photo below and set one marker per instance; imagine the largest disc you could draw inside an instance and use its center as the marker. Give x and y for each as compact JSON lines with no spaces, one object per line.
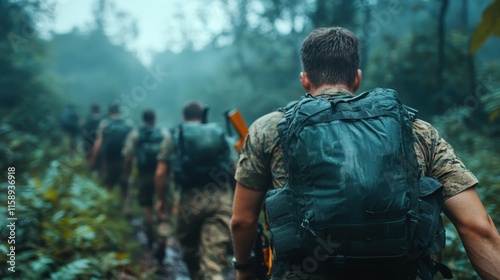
{"x":111,"y":134}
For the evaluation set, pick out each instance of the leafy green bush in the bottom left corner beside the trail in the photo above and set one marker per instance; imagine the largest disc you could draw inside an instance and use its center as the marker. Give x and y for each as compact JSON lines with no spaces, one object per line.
{"x":67,"y":227}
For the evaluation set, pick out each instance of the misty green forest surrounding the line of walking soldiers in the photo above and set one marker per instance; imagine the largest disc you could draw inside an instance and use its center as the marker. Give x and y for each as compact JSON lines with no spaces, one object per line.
{"x":441,"y":56}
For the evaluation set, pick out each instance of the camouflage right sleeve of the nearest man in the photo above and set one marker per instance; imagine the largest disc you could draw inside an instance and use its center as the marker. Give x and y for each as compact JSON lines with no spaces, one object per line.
{"x":443,"y":164}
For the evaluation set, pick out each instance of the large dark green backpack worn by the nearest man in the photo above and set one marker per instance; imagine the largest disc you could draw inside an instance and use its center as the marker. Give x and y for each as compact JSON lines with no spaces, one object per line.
{"x":354,"y":194}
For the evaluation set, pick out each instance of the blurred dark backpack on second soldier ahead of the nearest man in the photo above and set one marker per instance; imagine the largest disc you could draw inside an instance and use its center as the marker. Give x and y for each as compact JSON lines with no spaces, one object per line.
{"x":148,"y":147}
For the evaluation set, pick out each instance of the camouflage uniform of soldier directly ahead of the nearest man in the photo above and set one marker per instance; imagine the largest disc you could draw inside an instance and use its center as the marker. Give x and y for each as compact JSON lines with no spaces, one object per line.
{"x":203,"y":223}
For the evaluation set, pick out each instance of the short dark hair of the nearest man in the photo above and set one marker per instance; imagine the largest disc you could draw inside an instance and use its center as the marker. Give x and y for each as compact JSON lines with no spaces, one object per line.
{"x":330,"y":56}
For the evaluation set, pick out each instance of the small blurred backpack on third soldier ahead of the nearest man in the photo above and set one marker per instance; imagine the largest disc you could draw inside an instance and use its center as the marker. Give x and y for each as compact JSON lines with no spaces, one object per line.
{"x":113,"y":138}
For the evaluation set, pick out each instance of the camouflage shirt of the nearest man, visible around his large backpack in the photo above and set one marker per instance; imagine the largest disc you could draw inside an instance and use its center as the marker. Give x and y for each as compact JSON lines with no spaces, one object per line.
{"x":261,"y":164}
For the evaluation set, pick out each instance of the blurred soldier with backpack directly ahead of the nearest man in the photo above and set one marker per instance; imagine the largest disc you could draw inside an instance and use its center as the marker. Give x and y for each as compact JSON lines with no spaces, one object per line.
{"x":199,"y":160}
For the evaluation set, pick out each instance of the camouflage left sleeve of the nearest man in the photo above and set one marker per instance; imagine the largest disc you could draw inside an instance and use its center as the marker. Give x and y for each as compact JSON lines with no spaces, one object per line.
{"x":253,"y":169}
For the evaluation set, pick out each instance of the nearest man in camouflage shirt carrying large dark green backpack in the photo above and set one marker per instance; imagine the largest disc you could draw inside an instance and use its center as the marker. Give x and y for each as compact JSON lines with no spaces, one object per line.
{"x":353,"y":184}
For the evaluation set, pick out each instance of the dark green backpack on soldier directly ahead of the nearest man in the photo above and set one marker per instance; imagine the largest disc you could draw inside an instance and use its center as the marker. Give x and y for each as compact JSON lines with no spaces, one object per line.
{"x":201,"y":151}
